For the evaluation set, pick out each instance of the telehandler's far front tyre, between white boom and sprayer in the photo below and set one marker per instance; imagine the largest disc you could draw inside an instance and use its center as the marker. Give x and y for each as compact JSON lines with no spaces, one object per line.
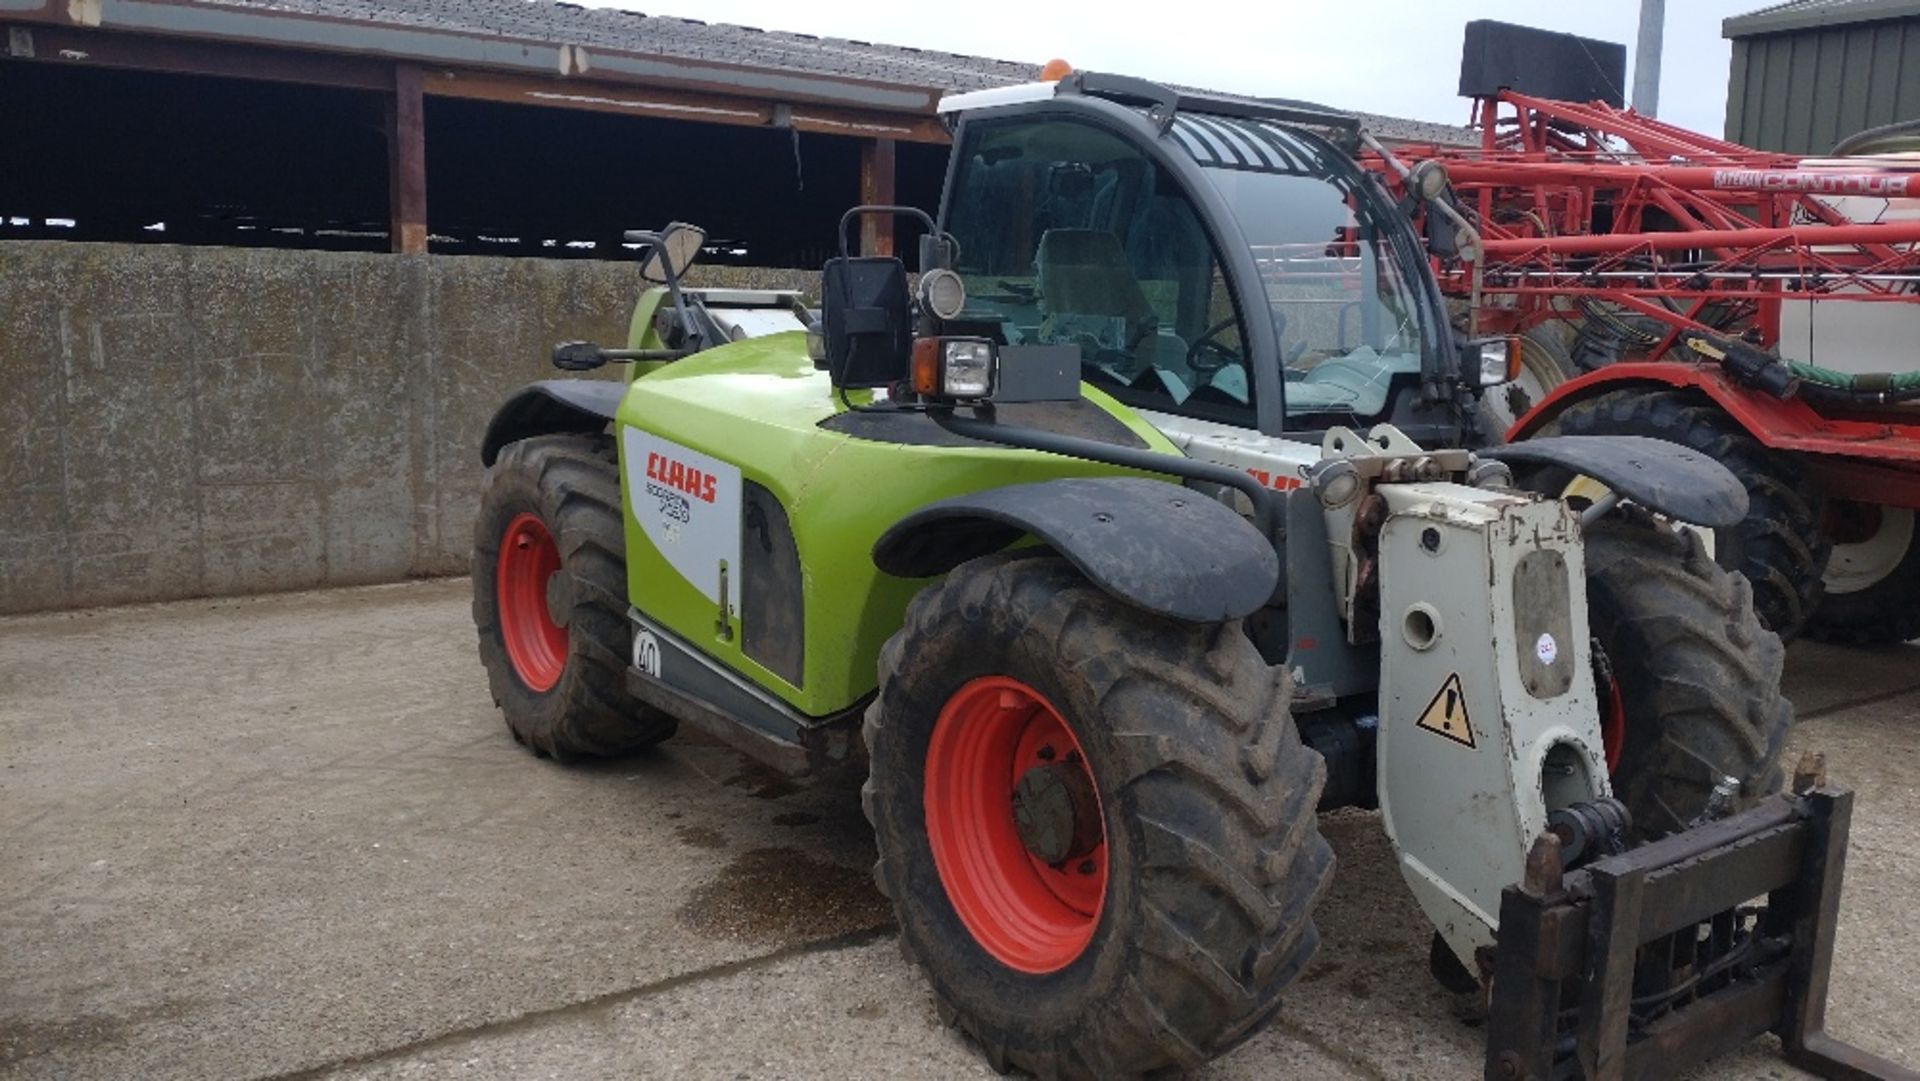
{"x":1689,"y":677}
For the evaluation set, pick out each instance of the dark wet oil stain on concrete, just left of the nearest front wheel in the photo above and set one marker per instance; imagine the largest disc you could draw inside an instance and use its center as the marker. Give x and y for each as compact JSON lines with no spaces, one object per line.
{"x":784,"y":896}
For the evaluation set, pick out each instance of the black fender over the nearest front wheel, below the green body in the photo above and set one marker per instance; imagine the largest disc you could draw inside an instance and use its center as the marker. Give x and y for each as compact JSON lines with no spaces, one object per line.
{"x":1153,"y":544}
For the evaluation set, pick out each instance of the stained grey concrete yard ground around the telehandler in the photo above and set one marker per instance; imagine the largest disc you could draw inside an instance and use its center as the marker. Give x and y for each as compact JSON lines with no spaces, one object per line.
{"x":291,"y":838}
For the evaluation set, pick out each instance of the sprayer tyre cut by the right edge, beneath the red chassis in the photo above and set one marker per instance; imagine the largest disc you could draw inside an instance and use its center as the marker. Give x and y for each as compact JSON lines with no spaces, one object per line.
{"x":1873,"y":579}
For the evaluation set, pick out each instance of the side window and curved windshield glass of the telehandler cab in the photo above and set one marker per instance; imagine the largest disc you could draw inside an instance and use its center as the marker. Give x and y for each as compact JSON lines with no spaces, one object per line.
{"x":1072,"y":235}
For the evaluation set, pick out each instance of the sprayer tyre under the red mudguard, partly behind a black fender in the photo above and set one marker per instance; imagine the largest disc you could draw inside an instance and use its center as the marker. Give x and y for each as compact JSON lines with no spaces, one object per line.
{"x":1779,"y":546}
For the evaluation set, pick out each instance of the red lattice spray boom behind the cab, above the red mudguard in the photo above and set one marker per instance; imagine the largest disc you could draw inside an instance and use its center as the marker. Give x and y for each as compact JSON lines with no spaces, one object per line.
{"x":1587,"y":201}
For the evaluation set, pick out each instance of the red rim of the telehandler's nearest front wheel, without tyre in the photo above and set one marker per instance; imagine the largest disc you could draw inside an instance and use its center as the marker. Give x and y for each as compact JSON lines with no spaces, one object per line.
{"x":999,"y":763}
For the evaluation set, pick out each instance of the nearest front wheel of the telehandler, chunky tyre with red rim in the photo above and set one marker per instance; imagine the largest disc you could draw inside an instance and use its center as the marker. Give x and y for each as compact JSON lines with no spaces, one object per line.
{"x":1095,"y":825}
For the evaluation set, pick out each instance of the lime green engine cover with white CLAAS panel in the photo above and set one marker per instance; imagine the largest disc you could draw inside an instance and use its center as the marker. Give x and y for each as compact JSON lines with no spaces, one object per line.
{"x":706,"y":441}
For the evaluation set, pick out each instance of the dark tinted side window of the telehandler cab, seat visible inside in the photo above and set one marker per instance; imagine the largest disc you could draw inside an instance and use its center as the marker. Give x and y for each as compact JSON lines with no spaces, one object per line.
{"x":1072,"y":235}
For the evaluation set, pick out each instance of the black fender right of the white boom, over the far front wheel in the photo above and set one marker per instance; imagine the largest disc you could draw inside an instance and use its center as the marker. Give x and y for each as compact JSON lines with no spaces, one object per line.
{"x":1654,"y":473}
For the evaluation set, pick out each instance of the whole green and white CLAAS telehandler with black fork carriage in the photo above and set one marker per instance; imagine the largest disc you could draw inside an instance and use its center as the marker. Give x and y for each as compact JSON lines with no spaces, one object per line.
{"x":1111,"y":552}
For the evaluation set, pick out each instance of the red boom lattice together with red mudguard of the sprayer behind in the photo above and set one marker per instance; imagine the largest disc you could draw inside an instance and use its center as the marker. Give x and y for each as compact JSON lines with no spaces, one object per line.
{"x":1589,"y":201}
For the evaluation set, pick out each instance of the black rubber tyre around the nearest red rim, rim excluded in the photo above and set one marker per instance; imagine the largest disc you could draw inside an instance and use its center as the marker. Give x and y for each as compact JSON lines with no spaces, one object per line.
{"x":1228,"y":811}
